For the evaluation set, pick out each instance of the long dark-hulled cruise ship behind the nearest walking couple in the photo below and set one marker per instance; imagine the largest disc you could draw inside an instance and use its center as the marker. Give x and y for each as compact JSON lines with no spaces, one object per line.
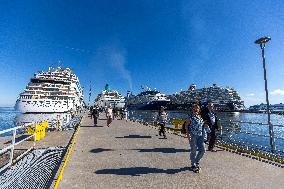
{"x":224,"y":98}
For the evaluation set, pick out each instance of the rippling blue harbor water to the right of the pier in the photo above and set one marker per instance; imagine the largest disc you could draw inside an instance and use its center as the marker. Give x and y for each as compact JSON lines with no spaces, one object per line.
{"x":233,"y":130}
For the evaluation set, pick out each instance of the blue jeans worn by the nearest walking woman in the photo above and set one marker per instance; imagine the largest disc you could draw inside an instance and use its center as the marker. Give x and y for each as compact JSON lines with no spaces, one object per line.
{"x":196,"y":142}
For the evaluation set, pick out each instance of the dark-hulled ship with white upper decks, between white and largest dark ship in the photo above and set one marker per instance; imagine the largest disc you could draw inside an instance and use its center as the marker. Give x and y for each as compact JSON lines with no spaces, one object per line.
{"x":147,"y":100}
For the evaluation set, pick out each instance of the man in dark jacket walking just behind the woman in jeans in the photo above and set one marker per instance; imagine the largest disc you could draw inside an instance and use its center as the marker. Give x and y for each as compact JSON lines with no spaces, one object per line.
{"x":210,"y":118}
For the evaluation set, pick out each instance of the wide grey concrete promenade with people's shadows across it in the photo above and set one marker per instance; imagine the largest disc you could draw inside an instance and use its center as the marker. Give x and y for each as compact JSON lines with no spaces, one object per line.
{"x":131,"y":155}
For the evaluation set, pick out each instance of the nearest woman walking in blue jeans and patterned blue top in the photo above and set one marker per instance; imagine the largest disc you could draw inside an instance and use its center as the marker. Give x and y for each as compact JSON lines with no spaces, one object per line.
{"x":195,"y":134}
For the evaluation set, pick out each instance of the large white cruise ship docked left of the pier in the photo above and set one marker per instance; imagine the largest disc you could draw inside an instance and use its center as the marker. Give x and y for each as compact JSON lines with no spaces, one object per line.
{"x":57,"y":90}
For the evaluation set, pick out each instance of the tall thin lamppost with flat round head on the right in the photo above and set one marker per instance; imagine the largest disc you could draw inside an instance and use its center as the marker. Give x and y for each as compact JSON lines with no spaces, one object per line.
{"x":262,"y":41}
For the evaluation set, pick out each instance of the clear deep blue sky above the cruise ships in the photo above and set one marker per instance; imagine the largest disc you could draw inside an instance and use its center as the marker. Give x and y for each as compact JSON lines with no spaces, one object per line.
{"x":166,"y":45}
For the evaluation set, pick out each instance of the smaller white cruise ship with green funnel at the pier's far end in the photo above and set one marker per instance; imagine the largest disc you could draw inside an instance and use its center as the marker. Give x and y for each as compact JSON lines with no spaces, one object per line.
{"x":109,"y":96}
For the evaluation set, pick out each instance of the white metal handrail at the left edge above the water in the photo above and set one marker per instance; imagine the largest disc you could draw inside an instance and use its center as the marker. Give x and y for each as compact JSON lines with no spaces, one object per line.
{"x":14,"y":143}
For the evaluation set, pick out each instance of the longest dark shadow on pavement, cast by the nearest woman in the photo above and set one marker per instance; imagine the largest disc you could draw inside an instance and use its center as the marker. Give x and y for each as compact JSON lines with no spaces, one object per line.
{"x":137,"y":171}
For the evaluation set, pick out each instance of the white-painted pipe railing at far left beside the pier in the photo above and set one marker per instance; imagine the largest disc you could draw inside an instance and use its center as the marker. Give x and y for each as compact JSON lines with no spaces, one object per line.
{"x":11,"y":148}
